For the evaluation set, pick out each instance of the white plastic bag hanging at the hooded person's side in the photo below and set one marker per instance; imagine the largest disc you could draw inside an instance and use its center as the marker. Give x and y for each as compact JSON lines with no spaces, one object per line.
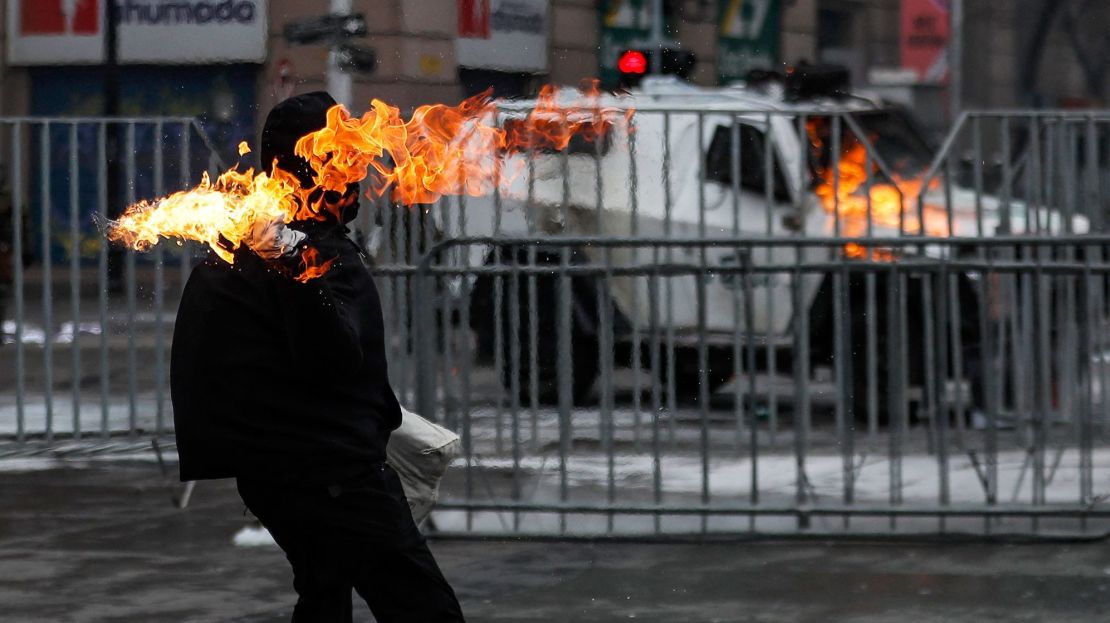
{"x":420,"y":451}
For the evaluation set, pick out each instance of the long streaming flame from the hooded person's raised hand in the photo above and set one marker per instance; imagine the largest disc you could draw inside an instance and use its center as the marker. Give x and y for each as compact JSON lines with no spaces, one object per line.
{"x":440,"y":150}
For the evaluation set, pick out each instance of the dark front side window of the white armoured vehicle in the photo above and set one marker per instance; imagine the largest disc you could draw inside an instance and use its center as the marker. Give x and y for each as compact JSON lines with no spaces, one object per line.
{"x":719,"y":162}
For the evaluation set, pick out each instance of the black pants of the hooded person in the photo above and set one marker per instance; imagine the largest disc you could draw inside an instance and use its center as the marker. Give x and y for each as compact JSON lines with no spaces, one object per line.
{"x":358,"y":535}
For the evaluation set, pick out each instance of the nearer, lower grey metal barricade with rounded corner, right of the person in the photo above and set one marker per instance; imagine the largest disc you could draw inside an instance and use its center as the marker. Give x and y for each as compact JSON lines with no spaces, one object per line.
{"x":645,"y":458}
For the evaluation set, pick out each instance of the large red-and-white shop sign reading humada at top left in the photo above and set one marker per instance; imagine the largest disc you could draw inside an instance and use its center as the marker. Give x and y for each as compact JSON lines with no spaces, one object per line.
{"x":150,"y":32}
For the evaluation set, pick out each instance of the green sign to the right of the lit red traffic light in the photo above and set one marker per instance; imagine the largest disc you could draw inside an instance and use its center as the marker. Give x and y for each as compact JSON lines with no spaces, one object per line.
{"x":748,"y":37}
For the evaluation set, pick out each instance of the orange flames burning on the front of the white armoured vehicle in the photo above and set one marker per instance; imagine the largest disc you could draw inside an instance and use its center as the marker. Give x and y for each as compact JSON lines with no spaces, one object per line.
{"x":845,"y":192}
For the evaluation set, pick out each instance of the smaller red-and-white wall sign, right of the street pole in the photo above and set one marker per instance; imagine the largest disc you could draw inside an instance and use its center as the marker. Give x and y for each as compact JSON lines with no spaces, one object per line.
{"x":518,"y":37}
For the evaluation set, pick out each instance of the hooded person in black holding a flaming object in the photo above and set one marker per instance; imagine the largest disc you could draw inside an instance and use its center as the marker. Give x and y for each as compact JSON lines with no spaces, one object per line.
{"x":285,"y":387}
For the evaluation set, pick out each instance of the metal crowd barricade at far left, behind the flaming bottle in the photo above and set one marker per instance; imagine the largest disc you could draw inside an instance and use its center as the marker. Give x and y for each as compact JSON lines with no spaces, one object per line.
{"x":86,"y":327}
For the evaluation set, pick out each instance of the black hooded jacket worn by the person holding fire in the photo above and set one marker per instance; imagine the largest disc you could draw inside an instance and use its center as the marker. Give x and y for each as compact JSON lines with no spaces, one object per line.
{"x":275,"y":379}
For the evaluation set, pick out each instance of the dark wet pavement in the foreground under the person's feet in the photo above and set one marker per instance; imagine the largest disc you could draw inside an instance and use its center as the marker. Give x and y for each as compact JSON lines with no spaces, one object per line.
{"x":104,"y":544}
